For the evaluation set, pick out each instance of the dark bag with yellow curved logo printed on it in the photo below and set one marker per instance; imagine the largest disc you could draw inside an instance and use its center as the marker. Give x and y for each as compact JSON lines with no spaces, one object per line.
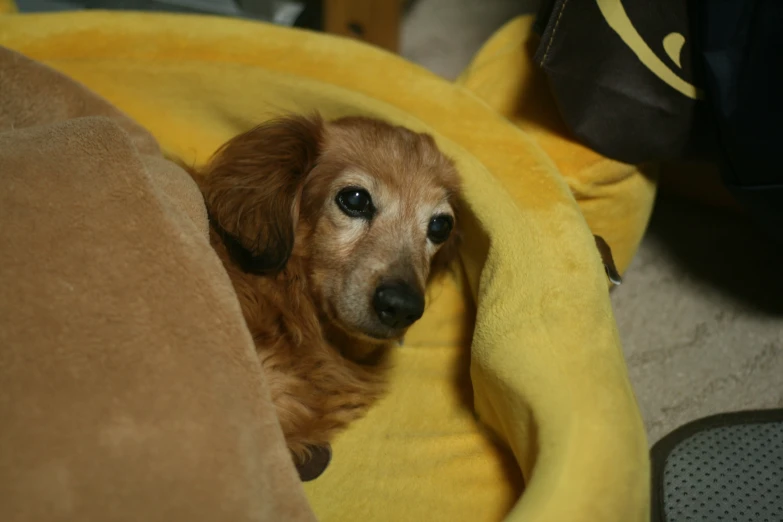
{"x":622,"y":74}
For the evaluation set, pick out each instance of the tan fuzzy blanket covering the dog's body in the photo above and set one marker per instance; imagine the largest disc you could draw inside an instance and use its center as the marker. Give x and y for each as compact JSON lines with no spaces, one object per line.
{"x":129,"y":386}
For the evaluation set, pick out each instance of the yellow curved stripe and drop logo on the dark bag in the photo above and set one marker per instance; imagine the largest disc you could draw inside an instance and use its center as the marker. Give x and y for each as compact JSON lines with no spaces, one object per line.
{"x":615,"y":15}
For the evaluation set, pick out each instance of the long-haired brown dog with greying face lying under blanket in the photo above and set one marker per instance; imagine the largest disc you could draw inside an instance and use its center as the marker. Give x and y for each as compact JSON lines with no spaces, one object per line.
{"x":329,"y":233}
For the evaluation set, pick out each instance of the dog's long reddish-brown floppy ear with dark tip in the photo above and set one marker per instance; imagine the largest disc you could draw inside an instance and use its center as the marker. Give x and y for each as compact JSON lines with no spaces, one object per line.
{"x":253,"y":186}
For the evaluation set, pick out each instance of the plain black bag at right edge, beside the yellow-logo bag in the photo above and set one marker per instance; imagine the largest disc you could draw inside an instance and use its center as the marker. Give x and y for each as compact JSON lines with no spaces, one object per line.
{"x":741,"y":46}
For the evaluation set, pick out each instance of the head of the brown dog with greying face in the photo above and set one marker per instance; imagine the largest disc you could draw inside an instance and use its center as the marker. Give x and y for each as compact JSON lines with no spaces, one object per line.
{"x":369,"y":207}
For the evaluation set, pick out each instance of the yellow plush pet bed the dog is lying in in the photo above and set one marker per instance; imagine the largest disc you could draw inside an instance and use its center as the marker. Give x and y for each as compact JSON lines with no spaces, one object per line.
{"x":546,"y":371}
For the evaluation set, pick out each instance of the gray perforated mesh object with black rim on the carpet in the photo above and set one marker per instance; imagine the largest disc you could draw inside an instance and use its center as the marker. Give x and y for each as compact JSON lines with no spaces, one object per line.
{"x":723,"y":468}
